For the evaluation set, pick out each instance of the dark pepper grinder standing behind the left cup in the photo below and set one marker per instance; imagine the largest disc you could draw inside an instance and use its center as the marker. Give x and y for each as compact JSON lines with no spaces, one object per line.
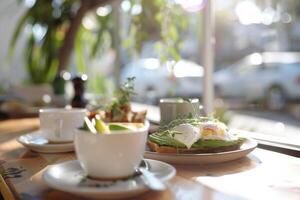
{"x":78,"y":100}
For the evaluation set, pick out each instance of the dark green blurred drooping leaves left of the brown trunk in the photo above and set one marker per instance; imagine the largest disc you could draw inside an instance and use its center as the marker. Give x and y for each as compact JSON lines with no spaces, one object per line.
{"x":45,"y":25}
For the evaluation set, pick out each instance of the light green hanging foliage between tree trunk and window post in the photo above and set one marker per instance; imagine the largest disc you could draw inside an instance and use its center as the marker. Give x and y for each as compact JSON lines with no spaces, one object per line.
{"x":161,"y":21}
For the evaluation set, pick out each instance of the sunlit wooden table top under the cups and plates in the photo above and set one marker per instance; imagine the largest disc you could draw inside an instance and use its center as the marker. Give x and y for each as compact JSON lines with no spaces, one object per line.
{"x":261,"y":175}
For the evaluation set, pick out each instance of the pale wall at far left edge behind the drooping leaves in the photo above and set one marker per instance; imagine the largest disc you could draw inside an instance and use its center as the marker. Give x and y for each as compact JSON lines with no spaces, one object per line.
{"x":14,"y":71}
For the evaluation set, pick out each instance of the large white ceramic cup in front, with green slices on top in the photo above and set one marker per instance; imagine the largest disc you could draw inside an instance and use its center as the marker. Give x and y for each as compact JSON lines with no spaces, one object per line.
{"x":110,"y":156}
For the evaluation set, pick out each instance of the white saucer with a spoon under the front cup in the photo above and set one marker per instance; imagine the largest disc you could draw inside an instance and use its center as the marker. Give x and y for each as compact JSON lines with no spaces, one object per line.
{"x":69,"y":177}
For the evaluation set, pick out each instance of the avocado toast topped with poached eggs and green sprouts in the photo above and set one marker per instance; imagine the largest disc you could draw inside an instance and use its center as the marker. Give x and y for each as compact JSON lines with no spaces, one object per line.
{"x":201,"y":135}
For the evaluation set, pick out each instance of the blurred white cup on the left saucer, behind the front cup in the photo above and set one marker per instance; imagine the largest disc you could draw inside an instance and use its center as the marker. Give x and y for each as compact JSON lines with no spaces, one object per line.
{"x":58,"y":124}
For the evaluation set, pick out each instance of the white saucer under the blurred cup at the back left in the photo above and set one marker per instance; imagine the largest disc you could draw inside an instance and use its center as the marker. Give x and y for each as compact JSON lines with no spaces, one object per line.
{"x":36,"y":142}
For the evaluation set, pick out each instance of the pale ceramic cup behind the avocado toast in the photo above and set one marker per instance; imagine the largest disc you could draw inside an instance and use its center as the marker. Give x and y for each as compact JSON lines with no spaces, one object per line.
{"x":171,"y":108}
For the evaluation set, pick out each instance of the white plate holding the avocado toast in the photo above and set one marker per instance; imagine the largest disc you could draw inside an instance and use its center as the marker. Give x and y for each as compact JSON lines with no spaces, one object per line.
{"x":205,"y":158}
